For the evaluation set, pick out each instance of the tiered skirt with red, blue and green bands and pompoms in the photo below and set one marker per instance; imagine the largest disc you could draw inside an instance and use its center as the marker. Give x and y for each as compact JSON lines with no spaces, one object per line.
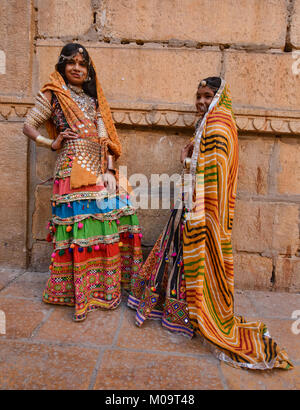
{"x":97,"y":248}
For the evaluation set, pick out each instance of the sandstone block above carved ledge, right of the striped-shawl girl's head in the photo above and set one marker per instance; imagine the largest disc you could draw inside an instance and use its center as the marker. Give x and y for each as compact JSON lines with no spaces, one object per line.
{"x":252,"y":77}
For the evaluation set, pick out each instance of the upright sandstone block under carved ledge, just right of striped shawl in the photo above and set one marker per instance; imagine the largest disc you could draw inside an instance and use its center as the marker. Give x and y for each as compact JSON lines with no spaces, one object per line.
{"x":254,"y":161}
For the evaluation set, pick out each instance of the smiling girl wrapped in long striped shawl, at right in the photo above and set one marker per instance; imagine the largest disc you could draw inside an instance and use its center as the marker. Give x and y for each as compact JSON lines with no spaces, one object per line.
{"x":187,"y":280}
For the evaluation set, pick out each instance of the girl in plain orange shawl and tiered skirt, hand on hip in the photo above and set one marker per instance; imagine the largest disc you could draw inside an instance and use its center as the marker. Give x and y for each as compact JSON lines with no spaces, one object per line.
{"x":94,"y":229}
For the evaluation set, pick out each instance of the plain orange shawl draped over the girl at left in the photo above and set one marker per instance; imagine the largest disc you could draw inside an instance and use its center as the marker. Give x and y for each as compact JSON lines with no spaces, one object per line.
{"x":75,"y":116}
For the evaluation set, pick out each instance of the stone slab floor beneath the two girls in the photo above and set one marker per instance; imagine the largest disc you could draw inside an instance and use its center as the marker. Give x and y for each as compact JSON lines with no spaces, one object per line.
{"x":44,"y":349}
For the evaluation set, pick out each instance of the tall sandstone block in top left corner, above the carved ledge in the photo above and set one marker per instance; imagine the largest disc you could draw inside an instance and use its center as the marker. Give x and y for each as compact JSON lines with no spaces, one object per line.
{"x":16,"y":43}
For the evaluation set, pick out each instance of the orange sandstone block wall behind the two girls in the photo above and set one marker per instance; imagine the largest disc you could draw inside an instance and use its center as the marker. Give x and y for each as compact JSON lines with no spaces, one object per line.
{"x":150,"y":56}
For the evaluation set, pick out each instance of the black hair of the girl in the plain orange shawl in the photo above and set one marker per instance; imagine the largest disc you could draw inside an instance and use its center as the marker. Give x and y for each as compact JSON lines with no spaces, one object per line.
{"x":69,"y":50}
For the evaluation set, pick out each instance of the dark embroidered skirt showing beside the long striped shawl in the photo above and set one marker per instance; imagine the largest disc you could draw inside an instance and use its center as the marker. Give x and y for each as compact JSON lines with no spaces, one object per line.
{"x":158,"y":289}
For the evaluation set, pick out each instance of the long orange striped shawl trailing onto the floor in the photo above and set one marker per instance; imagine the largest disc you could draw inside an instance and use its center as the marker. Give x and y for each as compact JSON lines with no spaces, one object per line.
{"x":207,"y":250}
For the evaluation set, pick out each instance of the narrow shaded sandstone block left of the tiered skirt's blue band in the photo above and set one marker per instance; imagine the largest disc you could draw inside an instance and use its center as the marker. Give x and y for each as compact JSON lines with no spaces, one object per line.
{"x":42,"y":212}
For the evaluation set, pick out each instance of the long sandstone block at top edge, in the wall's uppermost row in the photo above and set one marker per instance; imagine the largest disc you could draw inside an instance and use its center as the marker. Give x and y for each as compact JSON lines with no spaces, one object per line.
{"x":155,"y":20}
